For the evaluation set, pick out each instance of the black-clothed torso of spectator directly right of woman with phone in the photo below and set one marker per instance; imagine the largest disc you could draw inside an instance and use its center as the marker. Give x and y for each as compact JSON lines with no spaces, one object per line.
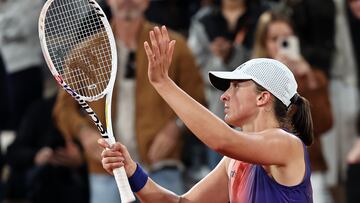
{"x":314,"y":23}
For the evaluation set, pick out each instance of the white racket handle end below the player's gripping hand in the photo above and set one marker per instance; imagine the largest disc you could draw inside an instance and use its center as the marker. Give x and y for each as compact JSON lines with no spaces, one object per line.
{"x":123,"y":185}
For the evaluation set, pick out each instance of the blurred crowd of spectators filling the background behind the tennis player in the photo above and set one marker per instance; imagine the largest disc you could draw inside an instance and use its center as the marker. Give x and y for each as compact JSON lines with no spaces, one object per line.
{"x":54,"y":156}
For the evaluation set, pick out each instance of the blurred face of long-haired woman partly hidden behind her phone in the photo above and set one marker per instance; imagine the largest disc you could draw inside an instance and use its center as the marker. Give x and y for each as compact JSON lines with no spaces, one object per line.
{"x":276,"y":31}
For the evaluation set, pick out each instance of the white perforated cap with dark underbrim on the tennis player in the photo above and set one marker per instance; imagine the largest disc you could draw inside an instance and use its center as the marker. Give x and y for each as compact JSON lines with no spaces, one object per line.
{"x":271,"y":74}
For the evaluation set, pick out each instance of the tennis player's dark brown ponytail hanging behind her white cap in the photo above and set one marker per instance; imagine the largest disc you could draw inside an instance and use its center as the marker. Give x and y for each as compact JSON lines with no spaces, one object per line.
{"x":301,"y":119}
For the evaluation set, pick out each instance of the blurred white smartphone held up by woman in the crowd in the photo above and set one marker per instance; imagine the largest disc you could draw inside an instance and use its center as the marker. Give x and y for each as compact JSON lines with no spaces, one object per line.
{"x":290,"y":47}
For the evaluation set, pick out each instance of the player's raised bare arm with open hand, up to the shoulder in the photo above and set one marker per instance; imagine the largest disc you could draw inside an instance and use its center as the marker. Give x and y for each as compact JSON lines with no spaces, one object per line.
{"x":271,"y":147}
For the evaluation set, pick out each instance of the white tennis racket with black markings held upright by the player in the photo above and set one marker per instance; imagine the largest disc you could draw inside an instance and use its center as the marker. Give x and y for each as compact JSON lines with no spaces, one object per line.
{"x":80,"y":51}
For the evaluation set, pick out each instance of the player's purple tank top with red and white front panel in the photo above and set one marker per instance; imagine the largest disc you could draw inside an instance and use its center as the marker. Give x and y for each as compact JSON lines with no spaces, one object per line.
{"x":249,"y":183}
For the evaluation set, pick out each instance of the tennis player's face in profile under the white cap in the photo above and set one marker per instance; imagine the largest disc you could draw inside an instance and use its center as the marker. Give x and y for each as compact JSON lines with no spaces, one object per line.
{"x":239,"y":102}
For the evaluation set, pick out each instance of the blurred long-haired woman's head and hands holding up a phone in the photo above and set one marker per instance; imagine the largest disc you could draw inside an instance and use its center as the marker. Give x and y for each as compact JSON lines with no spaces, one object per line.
{"x":275,"y":38}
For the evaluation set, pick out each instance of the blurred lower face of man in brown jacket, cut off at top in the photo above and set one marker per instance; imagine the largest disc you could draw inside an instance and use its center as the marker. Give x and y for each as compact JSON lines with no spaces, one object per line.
{"x":128,"y":9}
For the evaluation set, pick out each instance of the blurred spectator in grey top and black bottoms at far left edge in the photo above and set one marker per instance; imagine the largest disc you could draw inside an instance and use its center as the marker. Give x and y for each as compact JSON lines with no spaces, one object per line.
{"x":22,"y":55}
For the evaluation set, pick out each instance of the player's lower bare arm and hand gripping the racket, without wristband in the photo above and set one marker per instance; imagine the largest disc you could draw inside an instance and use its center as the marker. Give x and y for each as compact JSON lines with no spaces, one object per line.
{"x":214,"y":186}
